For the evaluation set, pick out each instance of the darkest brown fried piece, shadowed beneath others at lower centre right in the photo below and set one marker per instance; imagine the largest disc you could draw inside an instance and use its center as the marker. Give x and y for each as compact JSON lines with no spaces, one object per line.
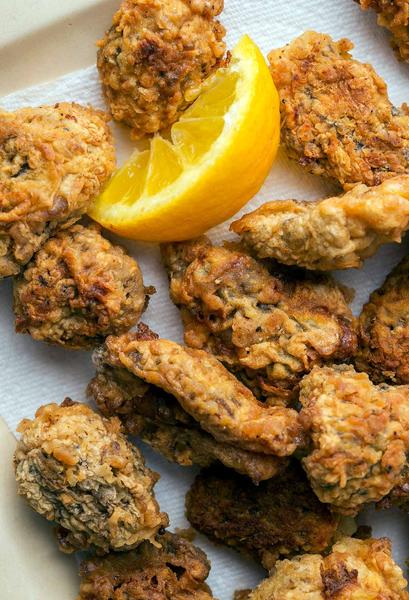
{"x":279,"y":517}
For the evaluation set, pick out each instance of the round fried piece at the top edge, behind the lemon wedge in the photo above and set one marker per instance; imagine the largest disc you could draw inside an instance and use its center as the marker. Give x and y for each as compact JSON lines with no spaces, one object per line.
{"x":155,"y":57}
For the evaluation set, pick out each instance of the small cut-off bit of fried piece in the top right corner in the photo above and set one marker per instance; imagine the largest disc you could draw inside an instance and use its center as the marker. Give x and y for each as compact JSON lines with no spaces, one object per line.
{"x":394,"y":15}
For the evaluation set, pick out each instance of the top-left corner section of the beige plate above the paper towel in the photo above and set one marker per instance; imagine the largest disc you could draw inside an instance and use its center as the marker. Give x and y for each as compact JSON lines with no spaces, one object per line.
{"x":43,"y":39}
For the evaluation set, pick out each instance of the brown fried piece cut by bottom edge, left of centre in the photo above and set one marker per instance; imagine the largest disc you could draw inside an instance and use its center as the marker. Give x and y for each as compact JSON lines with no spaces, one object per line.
{"x":175,"y":570}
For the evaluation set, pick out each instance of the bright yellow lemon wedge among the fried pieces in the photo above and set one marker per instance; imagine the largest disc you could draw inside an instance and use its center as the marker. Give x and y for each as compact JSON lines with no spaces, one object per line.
{"x":213,"y":161}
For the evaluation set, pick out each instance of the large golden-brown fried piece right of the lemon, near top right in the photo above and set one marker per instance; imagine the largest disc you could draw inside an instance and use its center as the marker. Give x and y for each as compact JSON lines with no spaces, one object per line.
{"x":337,"y":119}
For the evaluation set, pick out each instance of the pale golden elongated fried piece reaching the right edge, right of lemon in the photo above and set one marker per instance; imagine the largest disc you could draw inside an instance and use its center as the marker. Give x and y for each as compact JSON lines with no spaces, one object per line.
{"x":335,"y":233}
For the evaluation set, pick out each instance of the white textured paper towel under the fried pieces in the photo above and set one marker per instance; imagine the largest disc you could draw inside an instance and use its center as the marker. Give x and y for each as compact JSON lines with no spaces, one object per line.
{"x":33,"y":374}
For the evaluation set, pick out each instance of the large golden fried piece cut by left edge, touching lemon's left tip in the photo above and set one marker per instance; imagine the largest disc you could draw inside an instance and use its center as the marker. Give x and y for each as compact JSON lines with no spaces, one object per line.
{"x":54,"y":160}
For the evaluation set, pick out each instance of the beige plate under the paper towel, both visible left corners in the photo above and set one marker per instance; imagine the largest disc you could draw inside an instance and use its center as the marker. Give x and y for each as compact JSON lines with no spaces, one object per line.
{"x":39,"y":40}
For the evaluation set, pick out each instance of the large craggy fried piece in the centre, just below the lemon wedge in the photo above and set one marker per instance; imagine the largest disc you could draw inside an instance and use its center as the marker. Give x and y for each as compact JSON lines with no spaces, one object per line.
{"x":268,"y":328}
